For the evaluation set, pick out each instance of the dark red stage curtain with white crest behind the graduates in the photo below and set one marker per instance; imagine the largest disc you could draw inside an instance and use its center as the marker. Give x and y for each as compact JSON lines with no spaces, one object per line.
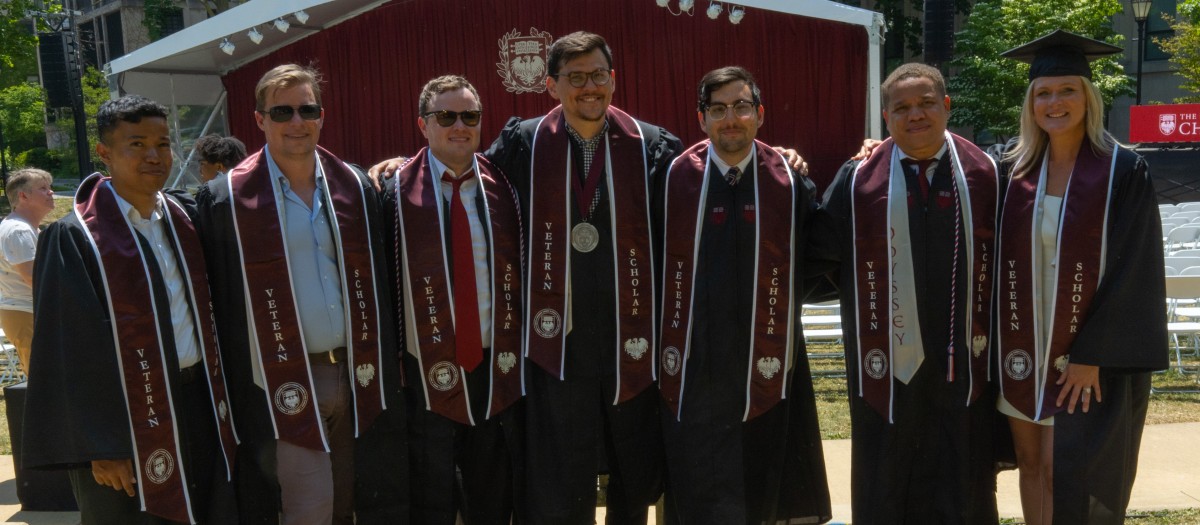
{"x":813,"y":73}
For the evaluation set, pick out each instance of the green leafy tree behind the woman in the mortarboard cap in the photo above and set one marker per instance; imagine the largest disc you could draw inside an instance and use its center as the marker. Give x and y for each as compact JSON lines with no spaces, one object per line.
{"x":988,"y":89}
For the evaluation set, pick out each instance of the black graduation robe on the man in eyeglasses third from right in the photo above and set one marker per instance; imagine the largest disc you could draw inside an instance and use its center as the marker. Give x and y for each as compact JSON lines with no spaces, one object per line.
{"x":719,"y":468}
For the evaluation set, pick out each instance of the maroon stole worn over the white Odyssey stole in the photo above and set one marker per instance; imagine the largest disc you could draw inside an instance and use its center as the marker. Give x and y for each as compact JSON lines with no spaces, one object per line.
{"x":976,"y":183}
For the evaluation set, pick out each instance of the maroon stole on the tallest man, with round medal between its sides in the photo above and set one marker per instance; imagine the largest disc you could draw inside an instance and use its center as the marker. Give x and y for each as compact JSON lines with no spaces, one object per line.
{"x":550,"y":250}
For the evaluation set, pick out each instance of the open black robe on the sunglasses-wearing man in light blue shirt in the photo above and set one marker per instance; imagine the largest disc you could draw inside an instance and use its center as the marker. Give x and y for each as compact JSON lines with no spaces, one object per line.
{"x":381,"y":463}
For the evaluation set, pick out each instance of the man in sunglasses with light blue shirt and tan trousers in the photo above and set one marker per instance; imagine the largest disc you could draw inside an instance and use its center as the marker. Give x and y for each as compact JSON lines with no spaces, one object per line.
{"x":301,"y":281}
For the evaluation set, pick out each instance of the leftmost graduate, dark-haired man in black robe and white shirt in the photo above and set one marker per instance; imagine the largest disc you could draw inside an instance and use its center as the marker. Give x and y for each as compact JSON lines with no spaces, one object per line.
{"x":77,"y":411}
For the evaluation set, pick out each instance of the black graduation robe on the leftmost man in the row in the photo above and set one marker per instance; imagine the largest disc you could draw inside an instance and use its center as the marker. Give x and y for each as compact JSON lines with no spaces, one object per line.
{"x":76,"y":408}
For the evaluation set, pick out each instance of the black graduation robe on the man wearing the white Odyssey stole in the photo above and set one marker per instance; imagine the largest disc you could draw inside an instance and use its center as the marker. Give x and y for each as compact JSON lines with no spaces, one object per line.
{"x":935,"y":464}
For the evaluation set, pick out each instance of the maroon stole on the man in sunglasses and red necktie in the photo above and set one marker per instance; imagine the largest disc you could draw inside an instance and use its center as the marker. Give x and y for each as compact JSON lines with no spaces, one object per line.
{"x":427,"y":287}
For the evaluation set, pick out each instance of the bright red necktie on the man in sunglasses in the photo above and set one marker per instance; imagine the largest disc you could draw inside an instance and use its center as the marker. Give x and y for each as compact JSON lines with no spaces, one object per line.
{"x":469,"y":347}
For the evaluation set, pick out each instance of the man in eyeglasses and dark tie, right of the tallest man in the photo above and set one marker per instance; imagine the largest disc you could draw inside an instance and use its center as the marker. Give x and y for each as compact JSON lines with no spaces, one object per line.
{"x":741,"y":423}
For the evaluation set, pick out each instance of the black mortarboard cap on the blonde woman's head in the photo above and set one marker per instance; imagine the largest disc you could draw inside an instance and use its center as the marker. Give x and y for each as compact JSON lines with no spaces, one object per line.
{"x":1060,"y":55}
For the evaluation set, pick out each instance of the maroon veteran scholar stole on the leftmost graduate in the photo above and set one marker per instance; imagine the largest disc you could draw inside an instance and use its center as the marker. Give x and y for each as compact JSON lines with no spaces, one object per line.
{"x":163,"y":482}
